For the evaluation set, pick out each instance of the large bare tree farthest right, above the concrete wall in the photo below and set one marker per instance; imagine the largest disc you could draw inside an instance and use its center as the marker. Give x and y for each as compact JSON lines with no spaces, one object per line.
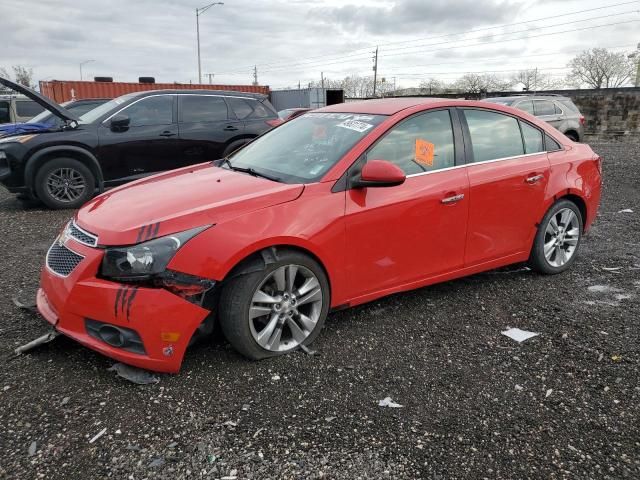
{"x":600,"y":68}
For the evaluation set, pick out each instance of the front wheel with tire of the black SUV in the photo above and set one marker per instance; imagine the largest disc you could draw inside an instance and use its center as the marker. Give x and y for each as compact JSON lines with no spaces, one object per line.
{"x":64,"y":183}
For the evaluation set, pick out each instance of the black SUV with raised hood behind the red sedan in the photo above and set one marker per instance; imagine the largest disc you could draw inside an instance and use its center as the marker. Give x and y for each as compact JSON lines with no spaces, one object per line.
{"x":127,"y":138}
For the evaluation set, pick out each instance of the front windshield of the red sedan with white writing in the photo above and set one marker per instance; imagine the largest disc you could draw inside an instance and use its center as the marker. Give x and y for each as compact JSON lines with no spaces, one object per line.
{"x":305,"y":148}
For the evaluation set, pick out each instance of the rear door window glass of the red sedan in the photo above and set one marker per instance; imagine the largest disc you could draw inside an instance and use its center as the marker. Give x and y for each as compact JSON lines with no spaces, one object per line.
{"x":493,"y":135}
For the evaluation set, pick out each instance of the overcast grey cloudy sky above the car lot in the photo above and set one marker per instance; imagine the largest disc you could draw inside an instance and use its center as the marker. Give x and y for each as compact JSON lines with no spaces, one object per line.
{"x":294,"y":41}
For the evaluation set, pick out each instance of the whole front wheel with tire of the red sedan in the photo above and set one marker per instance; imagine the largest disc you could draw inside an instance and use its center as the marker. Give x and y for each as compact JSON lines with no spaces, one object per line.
{"x":275,"y":310}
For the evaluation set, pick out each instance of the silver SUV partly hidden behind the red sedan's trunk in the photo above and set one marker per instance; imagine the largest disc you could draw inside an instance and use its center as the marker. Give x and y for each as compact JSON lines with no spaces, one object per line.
{"x":556,"y":110}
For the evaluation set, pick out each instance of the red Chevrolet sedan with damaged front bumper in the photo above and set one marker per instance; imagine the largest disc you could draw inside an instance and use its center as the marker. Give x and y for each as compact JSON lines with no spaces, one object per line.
{"x":346,"y":204}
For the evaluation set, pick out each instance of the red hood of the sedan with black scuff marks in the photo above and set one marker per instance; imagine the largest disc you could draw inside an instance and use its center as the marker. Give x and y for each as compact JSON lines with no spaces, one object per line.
{"x":178,"y":200}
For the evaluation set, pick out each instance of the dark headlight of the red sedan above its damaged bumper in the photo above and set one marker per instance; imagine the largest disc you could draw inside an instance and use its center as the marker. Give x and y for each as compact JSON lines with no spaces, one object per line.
{"x":142,"y":261}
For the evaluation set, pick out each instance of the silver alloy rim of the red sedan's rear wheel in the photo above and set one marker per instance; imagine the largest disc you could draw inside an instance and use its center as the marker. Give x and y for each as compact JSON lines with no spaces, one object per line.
{"x":561,"y":237}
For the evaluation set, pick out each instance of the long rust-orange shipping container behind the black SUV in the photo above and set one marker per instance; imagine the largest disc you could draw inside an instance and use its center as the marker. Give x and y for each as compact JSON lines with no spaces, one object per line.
{"x":64,"y":90}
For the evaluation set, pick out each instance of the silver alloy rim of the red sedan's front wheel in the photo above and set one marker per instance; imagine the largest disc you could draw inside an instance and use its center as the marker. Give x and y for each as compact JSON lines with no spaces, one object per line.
{"x":285,"y":308}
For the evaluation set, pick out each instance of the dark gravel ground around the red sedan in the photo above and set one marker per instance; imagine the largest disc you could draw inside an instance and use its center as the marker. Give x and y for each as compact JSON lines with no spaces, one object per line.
{"x":476,"y":404}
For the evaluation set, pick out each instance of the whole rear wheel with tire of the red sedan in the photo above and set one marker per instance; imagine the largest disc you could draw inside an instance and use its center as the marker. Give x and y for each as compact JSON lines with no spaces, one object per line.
{"x":558,"y":239}
